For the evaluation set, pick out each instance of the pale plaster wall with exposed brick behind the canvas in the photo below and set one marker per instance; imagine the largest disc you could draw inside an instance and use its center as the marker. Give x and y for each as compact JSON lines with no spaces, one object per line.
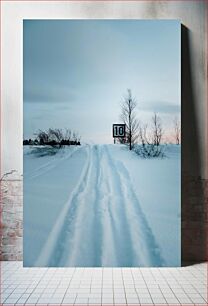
{"x":194,"y":109}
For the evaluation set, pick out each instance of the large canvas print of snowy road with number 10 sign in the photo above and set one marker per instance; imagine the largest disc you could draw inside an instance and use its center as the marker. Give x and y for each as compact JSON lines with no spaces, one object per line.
{"x":102,"y":143}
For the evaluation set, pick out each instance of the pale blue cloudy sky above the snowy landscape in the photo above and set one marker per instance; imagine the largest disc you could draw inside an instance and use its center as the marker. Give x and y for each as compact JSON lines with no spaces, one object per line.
{"x":77,"y":71}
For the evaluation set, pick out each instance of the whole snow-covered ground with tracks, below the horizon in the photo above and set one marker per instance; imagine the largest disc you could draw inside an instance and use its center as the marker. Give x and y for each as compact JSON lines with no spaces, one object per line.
{"x":101,"y":205}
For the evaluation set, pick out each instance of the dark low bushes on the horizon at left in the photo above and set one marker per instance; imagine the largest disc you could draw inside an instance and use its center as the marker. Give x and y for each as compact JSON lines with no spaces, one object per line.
{"x":55,"y":138}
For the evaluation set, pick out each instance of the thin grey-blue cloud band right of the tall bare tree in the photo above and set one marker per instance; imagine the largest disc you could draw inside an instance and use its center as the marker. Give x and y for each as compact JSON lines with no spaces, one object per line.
{"x":160,"y":107}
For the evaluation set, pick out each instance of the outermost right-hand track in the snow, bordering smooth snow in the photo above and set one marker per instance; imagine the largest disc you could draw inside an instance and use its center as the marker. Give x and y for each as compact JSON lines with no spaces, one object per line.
{"x":146,"y":251}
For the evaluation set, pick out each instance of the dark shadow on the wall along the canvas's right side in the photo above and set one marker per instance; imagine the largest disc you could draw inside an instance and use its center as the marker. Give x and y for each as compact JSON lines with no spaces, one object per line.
{"x":194,"y":189}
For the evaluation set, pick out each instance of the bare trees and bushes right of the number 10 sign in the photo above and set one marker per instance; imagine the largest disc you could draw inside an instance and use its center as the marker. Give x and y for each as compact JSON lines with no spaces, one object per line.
{"x":148,"y":136}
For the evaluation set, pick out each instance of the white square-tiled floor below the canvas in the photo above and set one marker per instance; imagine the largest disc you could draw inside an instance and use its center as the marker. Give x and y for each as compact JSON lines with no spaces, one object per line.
{"x":103,"y":286}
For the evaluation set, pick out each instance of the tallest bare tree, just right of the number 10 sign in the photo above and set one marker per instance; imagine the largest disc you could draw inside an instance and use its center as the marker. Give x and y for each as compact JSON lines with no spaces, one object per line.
{"x":128,"y":116}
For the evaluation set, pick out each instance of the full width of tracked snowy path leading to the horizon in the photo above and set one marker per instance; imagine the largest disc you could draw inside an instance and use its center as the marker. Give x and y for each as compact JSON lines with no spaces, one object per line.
{"x":102,"y":223}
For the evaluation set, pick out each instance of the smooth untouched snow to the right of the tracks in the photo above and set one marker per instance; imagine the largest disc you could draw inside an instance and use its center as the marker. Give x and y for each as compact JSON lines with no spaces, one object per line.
{"x":157,"y":184}
